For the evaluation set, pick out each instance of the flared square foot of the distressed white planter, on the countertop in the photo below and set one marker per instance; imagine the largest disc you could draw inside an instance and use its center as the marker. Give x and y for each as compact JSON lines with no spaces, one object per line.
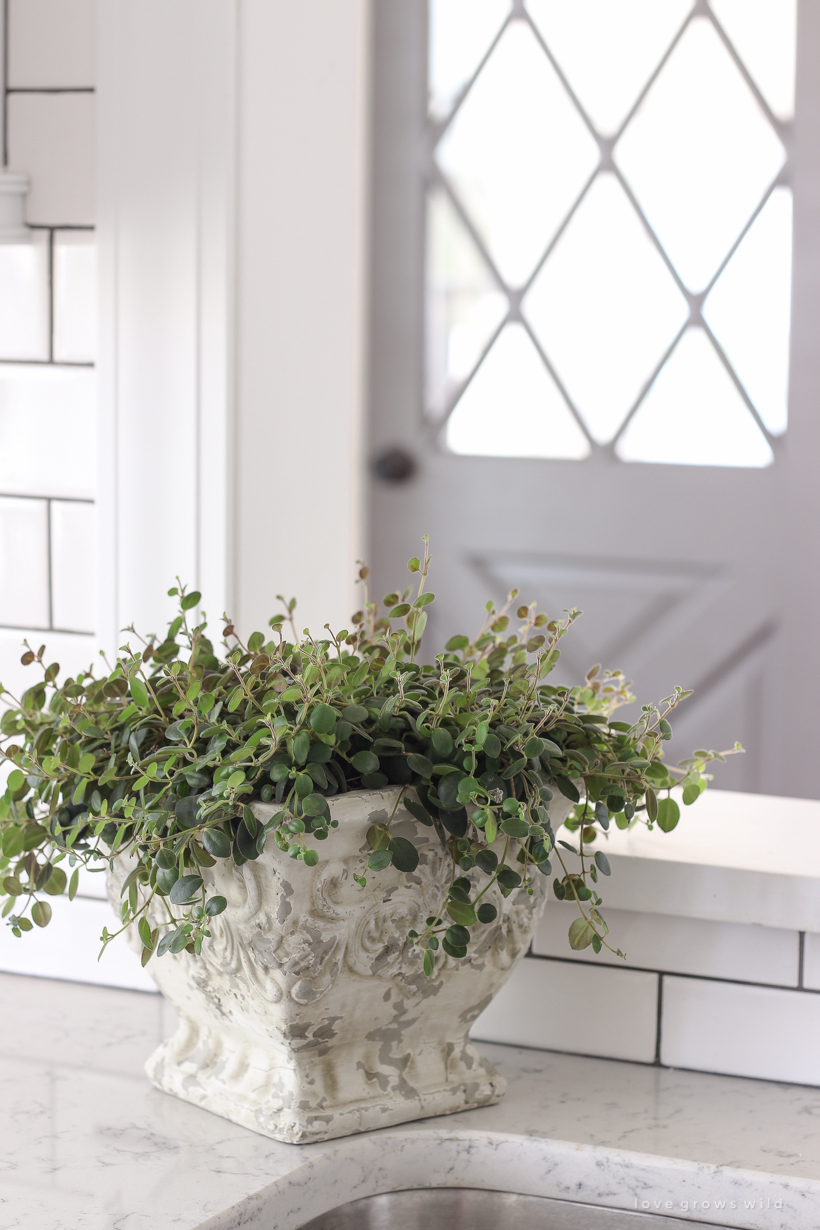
{"x":303,"y":1104}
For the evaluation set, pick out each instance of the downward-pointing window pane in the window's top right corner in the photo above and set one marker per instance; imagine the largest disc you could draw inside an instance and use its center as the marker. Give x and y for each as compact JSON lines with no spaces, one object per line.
{"x":764,"y":34}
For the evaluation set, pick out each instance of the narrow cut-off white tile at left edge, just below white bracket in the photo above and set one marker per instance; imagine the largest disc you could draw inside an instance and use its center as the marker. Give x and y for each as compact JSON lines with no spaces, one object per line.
{"x":24,"y":300}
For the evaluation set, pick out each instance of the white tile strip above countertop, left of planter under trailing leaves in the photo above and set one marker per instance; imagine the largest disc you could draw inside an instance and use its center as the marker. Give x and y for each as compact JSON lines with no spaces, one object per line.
{"x":69,"y":946}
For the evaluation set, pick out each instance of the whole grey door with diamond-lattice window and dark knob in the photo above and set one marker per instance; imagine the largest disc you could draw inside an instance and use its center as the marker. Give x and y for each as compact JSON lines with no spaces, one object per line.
{"x":582,"y":293}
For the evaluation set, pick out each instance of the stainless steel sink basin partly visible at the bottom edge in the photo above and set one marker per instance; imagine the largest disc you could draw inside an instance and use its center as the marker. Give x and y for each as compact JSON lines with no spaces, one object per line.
{"x":465,"y":1208}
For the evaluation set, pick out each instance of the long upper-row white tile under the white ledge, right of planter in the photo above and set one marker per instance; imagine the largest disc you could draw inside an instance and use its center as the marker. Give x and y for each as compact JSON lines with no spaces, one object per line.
{"x":680,"y":945}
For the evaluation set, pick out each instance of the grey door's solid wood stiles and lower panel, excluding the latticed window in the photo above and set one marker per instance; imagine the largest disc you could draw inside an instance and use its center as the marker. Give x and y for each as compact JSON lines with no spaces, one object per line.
{"x":747,"y":644}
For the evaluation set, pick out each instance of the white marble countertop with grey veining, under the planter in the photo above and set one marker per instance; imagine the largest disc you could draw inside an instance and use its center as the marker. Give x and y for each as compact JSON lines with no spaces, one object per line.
{"x":88,"y":1143}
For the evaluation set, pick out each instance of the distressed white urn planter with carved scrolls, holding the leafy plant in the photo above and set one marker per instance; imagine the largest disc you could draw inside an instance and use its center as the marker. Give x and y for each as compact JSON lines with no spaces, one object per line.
{"x":308,"y":1017}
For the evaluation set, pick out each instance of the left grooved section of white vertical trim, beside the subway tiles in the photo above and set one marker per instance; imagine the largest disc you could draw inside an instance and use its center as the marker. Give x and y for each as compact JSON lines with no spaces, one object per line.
{"x":167,"y":240}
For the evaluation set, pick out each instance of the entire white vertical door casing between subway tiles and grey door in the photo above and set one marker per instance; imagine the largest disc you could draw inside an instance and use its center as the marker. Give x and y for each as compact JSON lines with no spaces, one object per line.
{"x":233,"y":206}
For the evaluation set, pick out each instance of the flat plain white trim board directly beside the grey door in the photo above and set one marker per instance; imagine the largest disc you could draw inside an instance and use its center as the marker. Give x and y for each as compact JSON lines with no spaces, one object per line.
{"x":301,"y":318}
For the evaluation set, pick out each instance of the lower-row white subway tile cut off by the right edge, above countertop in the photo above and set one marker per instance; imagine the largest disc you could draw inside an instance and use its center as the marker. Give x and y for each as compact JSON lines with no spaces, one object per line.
{"x":742,"y":1031}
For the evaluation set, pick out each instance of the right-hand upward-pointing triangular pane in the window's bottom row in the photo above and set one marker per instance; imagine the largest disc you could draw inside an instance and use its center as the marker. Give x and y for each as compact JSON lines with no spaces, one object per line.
{"x":694,"y":415}
